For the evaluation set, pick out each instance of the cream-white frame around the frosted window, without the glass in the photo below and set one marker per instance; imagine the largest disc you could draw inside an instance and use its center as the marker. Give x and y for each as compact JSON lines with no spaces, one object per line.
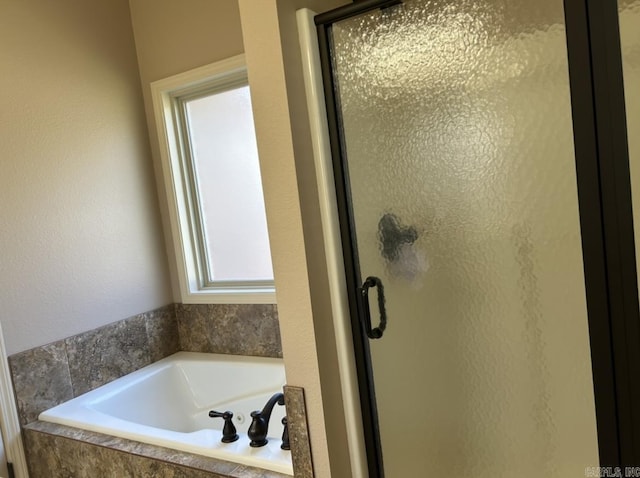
{"x":184,"y":215}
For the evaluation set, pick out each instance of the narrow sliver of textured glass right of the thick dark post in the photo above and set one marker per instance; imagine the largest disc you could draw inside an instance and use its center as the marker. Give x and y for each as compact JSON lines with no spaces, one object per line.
{"x":629,"y":16}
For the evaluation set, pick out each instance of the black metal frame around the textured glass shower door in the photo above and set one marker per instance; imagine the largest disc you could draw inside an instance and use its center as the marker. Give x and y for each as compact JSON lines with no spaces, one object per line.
{"x":606,"y":222}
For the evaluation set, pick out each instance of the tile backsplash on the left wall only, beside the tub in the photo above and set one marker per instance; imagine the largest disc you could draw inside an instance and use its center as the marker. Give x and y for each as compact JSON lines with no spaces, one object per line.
{"x":46,"y":376}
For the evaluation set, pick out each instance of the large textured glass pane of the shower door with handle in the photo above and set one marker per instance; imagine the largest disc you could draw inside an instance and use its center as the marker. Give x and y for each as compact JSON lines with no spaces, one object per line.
{"x":456,"y":125}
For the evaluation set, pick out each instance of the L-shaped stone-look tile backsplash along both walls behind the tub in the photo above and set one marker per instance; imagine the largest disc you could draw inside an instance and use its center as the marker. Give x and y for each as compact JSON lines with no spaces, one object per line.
{"x":46,"y":376}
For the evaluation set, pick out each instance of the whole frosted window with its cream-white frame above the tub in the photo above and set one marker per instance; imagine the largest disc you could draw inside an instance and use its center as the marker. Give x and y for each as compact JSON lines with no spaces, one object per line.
{"x":212,"y":176}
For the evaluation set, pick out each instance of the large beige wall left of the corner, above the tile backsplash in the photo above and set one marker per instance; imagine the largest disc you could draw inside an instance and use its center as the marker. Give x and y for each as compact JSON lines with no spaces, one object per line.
{"x":81,"y":239}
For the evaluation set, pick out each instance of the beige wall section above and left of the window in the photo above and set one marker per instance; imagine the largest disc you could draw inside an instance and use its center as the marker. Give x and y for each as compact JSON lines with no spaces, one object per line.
{"x":173,"y":37}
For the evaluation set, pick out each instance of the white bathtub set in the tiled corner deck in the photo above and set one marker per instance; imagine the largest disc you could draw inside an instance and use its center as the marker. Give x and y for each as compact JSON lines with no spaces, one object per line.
{"x":167,"y":404}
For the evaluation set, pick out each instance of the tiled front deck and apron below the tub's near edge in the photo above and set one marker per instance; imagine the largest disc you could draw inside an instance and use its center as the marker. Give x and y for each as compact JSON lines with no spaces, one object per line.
{"x":57,"y":451}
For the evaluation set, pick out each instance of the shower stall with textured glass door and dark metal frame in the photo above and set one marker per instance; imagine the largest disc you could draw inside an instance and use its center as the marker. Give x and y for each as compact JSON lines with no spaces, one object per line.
{"x":483,"y":190}
